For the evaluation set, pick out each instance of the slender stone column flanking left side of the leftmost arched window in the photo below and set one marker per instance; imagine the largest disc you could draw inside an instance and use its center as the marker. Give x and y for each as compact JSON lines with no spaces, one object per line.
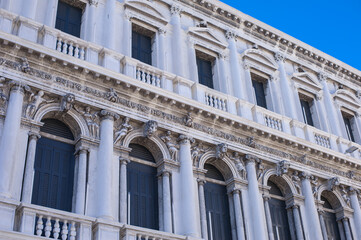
{"x":29,"y":168}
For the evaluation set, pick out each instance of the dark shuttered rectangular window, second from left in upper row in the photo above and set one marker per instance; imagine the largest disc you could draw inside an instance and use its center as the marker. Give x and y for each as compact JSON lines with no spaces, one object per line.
{"x":142,"y":47}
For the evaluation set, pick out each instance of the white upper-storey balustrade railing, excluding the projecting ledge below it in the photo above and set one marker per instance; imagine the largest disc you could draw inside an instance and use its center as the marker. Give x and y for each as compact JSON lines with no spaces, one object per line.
{"x":74,"y":47}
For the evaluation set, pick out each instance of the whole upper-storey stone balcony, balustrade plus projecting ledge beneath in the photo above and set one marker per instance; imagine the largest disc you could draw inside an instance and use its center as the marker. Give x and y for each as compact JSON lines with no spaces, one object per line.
{"x":51,"y":42}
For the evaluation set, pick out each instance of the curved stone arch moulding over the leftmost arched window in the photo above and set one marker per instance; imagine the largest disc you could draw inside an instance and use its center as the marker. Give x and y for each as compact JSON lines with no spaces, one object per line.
{"x":72,"y":118}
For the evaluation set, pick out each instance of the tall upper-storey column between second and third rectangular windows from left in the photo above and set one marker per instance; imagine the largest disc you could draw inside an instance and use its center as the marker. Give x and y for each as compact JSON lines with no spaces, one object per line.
{"x":177,"y":42}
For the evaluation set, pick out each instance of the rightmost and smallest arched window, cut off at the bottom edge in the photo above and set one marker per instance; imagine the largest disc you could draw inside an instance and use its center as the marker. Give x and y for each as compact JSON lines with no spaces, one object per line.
{"x":329,"y":217}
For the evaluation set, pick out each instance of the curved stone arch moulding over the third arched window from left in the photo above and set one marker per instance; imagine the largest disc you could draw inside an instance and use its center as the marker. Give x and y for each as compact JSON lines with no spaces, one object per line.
{"x":225,"y":165}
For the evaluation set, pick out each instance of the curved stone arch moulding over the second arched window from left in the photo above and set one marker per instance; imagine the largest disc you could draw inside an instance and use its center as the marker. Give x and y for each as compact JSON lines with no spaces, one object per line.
{"x":154,"y":144}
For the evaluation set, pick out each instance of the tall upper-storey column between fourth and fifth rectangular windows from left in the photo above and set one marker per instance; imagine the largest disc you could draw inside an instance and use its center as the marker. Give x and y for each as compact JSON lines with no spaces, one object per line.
{"x":286,"y":89}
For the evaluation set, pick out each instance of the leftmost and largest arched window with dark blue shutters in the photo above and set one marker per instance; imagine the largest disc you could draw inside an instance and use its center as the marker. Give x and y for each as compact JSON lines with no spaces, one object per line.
{"x":54,"y":166}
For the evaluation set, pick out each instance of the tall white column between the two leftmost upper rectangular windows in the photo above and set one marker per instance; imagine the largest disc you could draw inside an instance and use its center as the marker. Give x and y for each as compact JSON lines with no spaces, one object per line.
{"x":109,"y":22}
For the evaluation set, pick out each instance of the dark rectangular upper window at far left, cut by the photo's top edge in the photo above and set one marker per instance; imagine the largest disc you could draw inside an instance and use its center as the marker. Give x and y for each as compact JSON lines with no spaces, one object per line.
{"x":68,"y":19}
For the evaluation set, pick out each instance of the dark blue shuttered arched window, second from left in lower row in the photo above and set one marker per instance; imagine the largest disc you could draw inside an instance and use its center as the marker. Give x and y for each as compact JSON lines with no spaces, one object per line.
{"x":142,"y":188}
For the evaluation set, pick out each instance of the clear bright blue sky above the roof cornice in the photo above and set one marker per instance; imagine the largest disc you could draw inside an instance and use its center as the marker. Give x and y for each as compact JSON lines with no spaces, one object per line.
{"x":331,"y":26}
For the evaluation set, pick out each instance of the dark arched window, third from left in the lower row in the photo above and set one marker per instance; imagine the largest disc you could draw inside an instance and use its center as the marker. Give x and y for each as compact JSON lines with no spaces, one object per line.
{"x":217,"y":206}
